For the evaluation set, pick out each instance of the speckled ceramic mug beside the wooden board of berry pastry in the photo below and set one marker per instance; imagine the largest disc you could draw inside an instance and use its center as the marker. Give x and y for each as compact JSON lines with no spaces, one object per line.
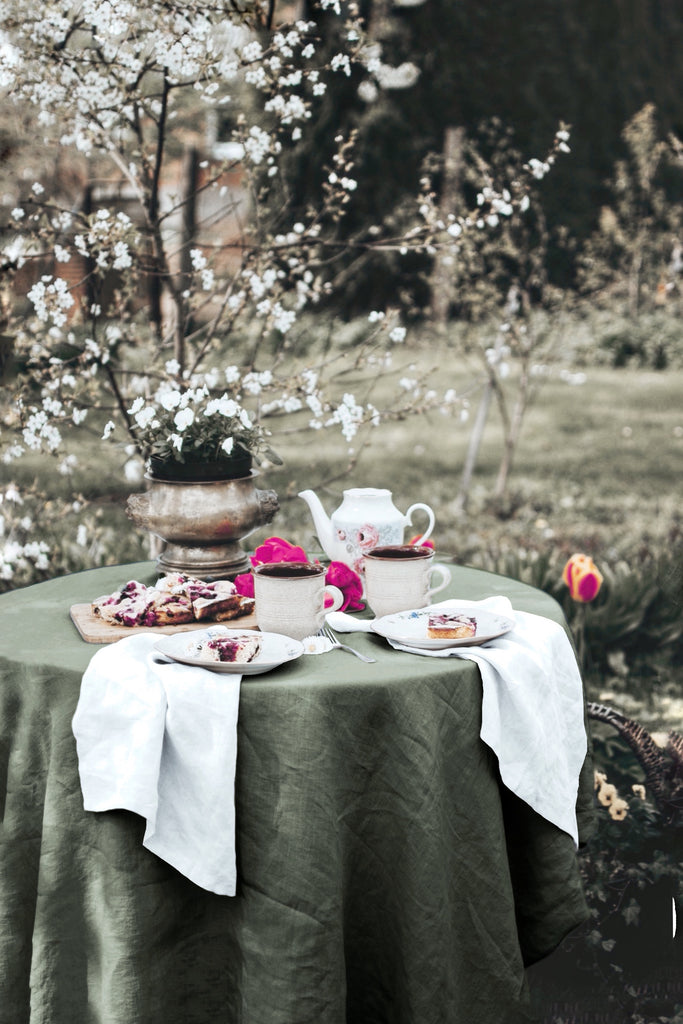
{"x":290,"y":599}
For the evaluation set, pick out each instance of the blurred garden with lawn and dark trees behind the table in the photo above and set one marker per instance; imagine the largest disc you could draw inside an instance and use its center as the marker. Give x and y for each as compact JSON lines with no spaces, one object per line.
{"x":531,"y":394}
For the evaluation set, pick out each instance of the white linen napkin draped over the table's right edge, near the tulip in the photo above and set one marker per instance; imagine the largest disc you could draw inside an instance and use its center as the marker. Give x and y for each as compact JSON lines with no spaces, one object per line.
{"x":533,"y":710}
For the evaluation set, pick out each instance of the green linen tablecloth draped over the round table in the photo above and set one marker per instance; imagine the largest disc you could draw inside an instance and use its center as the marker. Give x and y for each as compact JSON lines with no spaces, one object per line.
{"x":385,"y":874}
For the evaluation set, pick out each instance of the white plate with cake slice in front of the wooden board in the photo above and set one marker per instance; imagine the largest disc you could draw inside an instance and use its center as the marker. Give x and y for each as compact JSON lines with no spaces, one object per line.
{"x":248,"y":653}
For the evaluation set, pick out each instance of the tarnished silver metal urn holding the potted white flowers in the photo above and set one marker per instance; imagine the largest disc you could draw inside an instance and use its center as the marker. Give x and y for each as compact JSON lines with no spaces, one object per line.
{"x":202,"y":524}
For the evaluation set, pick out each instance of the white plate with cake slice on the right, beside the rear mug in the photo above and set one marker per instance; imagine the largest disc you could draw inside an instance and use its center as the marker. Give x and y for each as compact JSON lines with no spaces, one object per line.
{"x":444,"y":626}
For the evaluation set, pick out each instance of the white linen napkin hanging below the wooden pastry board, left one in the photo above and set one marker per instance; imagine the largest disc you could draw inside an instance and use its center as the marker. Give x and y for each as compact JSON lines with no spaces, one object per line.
{"x":160,"y":740}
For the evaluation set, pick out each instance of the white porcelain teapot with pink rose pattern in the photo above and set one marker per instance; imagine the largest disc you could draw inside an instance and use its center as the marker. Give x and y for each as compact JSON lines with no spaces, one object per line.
{"x":366,"y":519}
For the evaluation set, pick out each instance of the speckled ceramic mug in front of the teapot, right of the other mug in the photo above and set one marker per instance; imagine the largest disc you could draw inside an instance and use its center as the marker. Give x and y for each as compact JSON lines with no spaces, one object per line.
{"x":399,"y":577}
